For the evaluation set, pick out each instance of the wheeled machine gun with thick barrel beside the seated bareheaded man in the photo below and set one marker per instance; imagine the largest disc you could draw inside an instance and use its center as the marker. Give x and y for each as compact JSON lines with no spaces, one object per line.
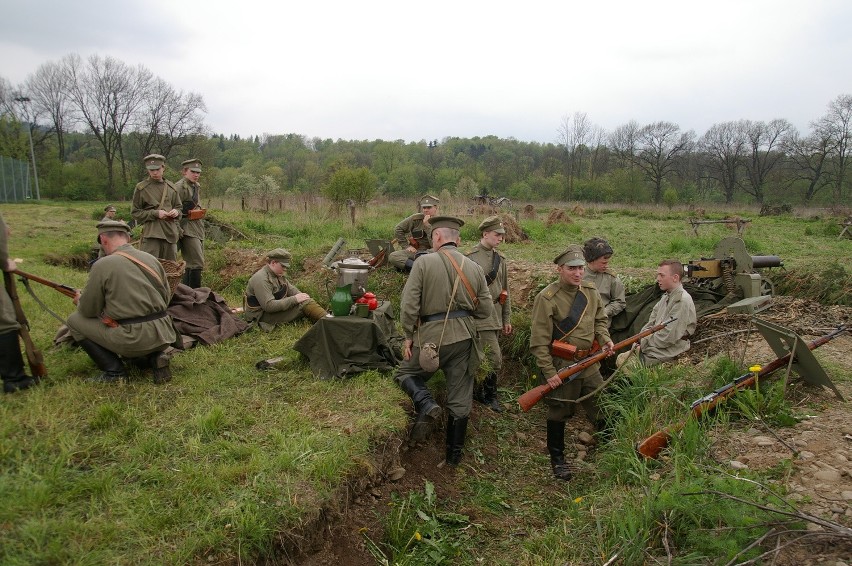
{"x":733,"y":268}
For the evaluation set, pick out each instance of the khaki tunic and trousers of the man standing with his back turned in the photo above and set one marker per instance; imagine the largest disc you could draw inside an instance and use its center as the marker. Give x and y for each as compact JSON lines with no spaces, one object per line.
{"x":428,"y":291}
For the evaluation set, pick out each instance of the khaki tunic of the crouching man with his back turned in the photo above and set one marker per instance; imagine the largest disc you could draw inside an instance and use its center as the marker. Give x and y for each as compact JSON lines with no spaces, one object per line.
{"x":121,"y":289}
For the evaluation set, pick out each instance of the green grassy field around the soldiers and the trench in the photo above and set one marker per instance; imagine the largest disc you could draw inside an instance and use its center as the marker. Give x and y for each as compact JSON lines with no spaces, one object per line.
{"x":227,"y":463}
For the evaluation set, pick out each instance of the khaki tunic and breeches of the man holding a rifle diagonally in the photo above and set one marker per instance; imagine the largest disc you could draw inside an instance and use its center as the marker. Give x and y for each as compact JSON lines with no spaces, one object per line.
{"x":552,"y":305}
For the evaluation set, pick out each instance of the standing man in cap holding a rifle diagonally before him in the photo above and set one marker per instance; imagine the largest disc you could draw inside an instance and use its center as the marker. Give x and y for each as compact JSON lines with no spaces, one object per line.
{"x":570,"y":312}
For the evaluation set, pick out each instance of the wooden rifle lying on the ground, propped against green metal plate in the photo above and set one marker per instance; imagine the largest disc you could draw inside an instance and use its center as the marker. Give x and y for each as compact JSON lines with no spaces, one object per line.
{"x":654,"y":444}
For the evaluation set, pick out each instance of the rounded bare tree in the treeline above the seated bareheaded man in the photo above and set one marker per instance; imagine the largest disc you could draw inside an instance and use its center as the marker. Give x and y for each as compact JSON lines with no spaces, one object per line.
{"x":660,"y":145}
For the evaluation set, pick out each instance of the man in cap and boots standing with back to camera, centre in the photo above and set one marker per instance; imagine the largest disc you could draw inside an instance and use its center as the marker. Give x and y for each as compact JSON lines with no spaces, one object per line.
{"x":443,"y":298}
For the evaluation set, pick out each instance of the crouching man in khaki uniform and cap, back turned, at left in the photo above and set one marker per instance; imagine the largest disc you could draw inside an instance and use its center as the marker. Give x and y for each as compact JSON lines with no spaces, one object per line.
{"x":121,"y":312}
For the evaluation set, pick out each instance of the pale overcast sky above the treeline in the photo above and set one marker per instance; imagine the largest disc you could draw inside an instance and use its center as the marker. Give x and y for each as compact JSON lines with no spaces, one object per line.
{"x":431,"y":69}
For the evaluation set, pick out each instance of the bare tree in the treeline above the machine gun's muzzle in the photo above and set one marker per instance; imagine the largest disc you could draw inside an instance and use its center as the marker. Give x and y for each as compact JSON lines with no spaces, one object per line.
{"x":763,"y":147}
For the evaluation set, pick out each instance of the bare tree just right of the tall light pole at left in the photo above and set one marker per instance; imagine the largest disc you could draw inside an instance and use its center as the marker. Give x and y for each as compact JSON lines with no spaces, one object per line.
{"x":48,"y":89}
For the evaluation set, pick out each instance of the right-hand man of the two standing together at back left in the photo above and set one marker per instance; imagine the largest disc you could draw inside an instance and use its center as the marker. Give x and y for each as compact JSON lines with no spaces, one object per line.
{"x":191,"y":243}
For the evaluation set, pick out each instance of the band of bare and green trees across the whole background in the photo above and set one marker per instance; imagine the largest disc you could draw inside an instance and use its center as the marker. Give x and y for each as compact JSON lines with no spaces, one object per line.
{"x":93,"y":120}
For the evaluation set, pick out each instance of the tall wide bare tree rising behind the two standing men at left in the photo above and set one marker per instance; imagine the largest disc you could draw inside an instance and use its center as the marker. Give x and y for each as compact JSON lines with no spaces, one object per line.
{"x":107,"y":93}
